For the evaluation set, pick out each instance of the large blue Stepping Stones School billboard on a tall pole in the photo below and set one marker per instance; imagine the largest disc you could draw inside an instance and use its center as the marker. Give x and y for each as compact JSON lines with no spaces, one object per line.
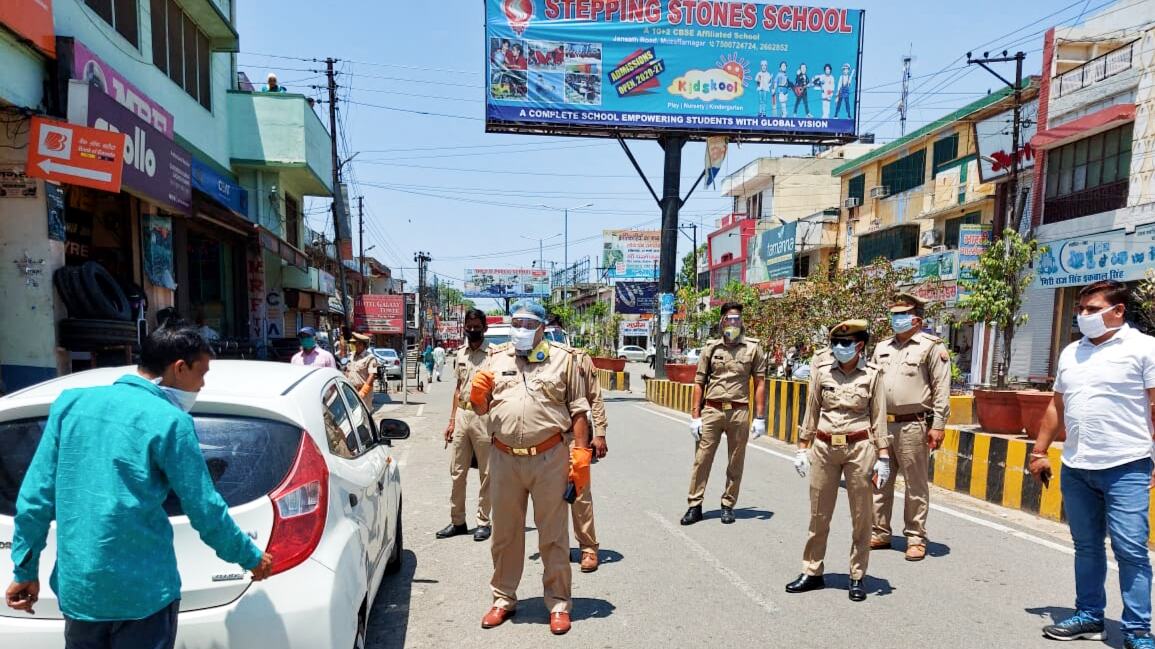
{"x":642,"y":68}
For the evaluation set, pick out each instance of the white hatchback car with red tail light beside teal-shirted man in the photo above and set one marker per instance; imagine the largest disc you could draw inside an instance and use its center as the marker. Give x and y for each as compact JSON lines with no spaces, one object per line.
{"x":307,"y":474}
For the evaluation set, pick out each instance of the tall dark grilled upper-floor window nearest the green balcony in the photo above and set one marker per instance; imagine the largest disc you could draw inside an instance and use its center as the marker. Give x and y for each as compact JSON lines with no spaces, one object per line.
{"x":182,"y":51}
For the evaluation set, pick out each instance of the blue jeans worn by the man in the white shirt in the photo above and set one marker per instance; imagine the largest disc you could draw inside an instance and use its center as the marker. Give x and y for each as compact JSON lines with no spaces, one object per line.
{"x":1112,"y":502}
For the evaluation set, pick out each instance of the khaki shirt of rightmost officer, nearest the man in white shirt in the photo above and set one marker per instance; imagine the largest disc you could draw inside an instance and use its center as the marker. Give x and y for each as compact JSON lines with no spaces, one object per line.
{"x":918,"y":377}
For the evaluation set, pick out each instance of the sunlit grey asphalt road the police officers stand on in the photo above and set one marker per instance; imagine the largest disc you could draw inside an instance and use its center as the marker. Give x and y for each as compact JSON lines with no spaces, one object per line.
{"x":993,"y":579}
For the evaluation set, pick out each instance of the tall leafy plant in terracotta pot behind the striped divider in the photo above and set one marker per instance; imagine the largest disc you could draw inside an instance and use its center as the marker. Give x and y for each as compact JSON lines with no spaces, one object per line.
{"x":996,"y":299}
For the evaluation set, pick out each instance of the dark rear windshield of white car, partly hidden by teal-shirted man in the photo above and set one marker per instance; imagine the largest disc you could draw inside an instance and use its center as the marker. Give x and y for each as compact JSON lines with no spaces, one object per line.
{"x":248,"y":458}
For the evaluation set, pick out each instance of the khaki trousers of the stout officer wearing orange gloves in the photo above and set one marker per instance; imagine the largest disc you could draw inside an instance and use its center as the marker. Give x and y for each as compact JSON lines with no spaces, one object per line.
{"x":513,"y":482}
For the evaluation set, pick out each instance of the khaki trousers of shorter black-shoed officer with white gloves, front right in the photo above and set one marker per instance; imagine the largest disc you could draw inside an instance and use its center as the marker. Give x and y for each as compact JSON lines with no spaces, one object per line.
{"x":828,"y":466}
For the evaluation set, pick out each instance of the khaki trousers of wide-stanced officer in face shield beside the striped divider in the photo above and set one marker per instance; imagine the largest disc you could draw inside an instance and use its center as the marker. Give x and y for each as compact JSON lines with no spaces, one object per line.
{"x":735,"y":424}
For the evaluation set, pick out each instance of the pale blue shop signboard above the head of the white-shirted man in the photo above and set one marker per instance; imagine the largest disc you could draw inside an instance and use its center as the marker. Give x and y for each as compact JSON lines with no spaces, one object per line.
{"x":1106,"y":256}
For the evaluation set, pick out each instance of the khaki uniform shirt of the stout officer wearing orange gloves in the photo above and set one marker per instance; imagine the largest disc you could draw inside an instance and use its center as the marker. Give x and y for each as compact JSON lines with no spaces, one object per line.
{"x":534,"y":401}
